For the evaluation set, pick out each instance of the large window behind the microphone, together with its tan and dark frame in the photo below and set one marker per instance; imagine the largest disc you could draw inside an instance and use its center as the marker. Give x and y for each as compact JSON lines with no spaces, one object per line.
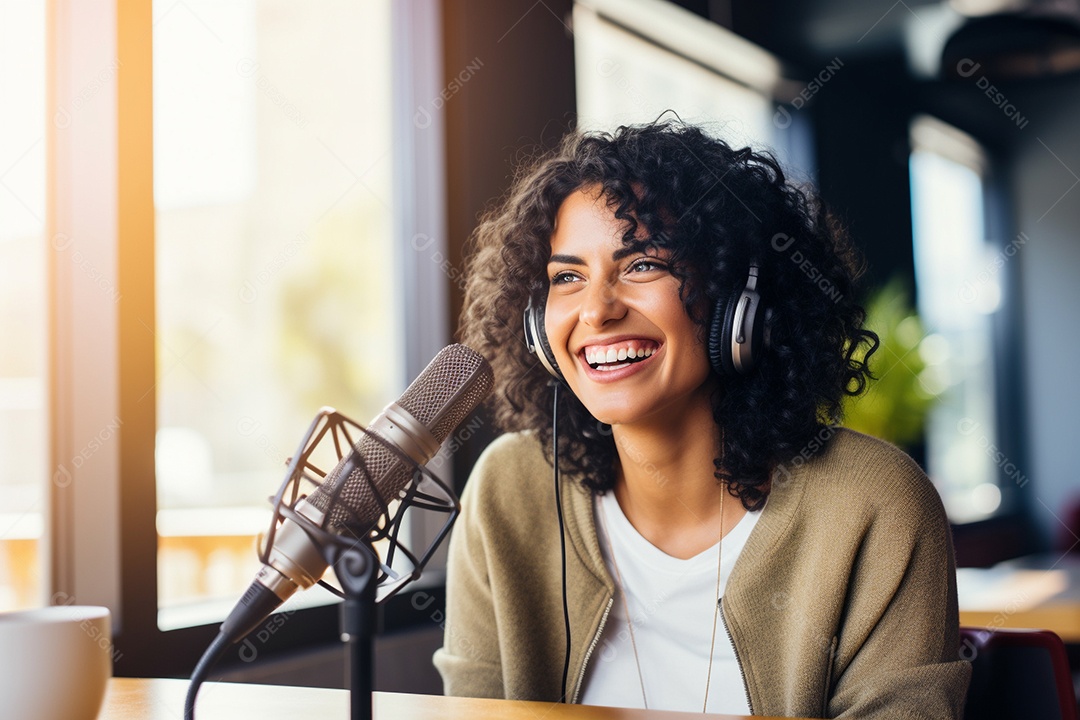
{"x":236,"y":188}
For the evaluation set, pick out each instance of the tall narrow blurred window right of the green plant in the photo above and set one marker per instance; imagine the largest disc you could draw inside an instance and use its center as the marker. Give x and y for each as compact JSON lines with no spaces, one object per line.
{"x":961,"y":278}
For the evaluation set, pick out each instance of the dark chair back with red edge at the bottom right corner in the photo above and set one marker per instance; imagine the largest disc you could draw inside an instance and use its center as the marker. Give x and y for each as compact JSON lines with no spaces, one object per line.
{"x":1018,"y":675}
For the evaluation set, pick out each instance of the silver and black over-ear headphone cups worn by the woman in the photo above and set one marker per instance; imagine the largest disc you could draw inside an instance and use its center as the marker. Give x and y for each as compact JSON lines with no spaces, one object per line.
{"x":738,"y":332}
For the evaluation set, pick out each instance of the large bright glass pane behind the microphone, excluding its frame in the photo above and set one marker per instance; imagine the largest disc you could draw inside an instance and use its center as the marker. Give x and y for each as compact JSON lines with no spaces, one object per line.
{"x":274,"y":194}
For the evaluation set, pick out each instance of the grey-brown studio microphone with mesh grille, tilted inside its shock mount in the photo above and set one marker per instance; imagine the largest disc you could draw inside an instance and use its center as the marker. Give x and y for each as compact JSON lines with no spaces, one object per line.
{"x":355,"y":495}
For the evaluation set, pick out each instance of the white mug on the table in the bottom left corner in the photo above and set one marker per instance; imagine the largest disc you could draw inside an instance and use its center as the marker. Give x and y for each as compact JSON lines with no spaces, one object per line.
{"x":56,"y":663}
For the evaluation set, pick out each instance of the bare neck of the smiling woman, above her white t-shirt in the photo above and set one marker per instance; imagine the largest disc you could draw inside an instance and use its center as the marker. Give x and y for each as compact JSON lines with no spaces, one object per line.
{"x":666,"y":483}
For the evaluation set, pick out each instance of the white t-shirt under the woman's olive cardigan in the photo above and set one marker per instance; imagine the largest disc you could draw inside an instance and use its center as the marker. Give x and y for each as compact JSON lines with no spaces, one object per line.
{"x":672,"y":603}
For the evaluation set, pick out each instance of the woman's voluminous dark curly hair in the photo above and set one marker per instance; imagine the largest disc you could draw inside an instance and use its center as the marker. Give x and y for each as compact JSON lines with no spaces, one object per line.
{"x":717,"y":210}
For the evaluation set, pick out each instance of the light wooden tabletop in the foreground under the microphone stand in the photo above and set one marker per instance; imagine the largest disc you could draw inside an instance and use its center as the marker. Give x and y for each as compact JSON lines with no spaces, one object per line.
{"x":131,"y":699}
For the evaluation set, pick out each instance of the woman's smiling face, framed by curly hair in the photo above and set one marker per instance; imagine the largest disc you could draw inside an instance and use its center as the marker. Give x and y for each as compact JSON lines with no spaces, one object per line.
{"x":616,"y":322}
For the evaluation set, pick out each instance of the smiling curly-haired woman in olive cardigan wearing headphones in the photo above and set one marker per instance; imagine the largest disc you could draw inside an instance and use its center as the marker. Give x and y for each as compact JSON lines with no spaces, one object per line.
{"x":654,"y":270}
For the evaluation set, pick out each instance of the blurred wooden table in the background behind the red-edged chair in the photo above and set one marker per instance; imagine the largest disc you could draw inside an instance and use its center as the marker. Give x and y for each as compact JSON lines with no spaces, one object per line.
{"x":1038,"y":591}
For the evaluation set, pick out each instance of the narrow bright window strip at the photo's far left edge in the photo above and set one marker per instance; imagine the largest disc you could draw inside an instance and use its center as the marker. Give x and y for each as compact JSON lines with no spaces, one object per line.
{"x":23,"y":310}
